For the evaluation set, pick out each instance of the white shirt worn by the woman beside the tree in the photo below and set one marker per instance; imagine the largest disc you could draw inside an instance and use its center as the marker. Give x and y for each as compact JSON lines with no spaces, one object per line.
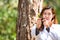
{"x":54,"y":33}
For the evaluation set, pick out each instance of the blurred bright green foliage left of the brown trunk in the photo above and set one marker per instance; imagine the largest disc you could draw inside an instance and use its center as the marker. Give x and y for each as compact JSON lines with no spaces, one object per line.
{"x":8,"y":15}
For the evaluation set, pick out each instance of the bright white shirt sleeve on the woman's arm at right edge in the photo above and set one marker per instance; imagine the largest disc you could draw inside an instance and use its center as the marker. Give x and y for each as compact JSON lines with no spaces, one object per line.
{"x":55,"y":31}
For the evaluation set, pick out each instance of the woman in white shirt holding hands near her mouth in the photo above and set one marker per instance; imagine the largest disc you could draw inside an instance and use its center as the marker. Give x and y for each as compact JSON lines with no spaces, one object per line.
{"x":46,"y":27}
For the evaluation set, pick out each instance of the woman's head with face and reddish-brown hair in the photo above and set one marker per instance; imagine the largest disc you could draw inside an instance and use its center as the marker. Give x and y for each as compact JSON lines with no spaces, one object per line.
{"x":49,"y":14}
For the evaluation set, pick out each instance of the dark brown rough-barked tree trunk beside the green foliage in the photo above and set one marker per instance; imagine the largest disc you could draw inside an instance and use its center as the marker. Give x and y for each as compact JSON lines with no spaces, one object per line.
{"x":22,"y":26}
